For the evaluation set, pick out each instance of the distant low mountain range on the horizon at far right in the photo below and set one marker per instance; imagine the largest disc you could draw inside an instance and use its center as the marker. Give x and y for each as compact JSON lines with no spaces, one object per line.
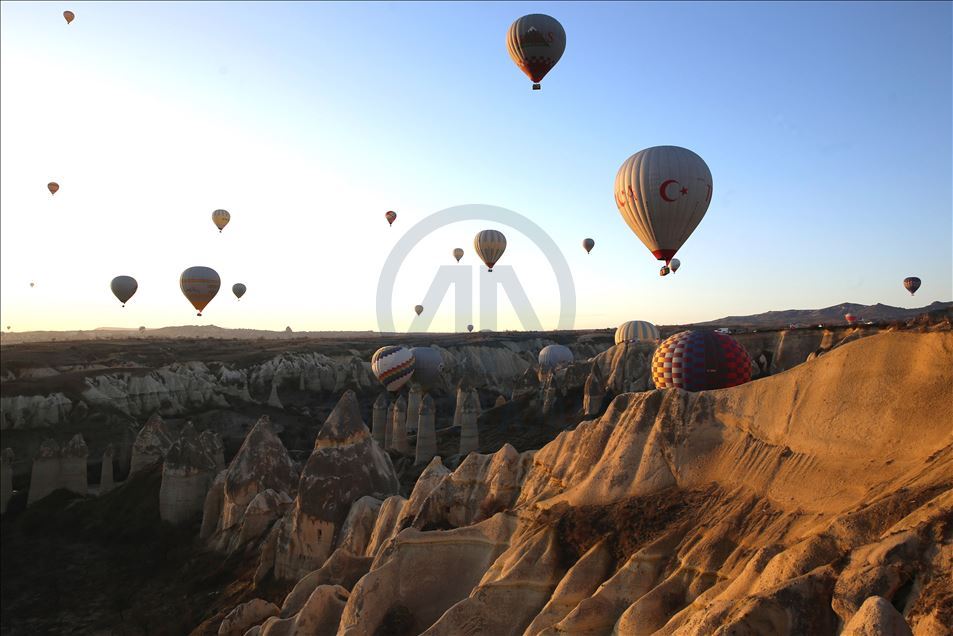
{"x":826,"y":316}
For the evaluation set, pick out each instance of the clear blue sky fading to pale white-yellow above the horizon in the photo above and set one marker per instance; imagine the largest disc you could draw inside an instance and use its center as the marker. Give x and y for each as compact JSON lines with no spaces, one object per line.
{"x":827,"y":128}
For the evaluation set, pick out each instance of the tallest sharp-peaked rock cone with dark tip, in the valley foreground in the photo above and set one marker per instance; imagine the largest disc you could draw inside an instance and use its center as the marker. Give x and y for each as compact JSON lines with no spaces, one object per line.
{"x":346,"y":465}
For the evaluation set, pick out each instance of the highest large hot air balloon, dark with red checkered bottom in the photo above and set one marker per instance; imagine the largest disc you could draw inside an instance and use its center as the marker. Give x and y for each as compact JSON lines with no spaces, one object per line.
{"x":536,"y":42}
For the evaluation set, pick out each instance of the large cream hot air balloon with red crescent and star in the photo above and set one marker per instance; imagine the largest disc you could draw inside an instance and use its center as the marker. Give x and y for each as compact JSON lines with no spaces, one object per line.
{"x":662,"y":193}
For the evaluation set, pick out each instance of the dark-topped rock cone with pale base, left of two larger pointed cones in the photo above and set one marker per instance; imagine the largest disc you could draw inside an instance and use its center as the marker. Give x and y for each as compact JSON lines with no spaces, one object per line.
{"x":187,"y":473}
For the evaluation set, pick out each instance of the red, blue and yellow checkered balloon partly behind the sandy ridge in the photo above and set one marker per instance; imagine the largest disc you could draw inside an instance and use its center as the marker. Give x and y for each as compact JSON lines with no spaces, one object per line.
{"x":700,"y":360}
